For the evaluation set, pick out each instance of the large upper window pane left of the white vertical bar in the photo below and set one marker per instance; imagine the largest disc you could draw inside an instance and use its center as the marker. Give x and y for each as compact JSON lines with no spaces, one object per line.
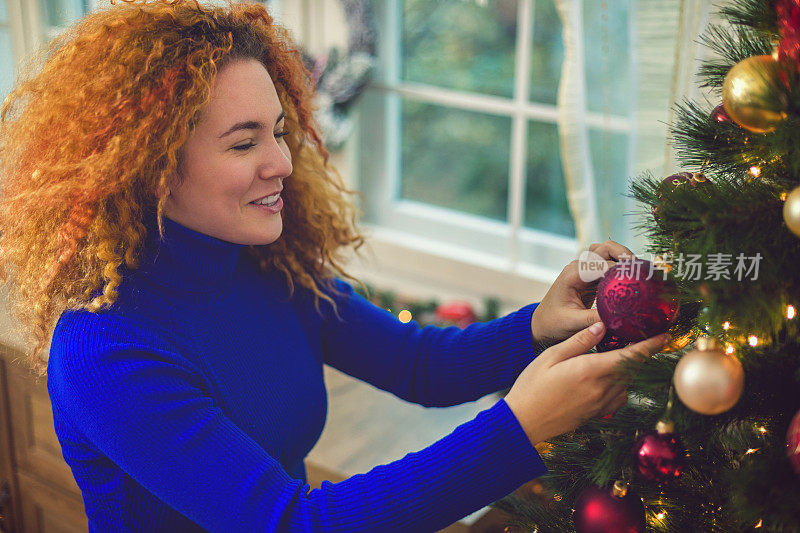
{"x":466,"y":45}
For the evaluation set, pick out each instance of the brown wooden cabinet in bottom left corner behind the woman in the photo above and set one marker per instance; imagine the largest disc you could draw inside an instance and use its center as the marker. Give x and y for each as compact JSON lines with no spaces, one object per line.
{"x":41,"y":494}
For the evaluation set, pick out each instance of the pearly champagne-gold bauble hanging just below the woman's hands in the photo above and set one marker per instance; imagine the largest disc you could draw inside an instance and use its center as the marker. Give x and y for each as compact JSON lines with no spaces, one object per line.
{"x":707,"y":380}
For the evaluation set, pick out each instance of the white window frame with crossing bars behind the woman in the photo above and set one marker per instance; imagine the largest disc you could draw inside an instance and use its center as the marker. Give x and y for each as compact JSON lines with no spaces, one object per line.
{"x":408,"y":229}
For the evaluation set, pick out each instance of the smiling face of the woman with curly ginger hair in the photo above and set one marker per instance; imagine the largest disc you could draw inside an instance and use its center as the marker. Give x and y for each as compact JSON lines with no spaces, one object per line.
{"x":235,"y":156}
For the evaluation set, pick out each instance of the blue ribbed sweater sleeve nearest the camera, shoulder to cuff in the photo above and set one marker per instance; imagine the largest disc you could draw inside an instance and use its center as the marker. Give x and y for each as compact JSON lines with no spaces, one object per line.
{"x":148,"y":410}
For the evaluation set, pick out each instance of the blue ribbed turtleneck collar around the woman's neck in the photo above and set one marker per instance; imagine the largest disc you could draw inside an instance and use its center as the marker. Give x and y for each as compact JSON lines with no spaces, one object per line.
{"x":187,"y":260}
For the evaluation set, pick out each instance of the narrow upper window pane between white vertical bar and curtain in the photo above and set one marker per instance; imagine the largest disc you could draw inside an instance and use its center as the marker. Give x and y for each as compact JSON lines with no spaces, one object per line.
{"x":547,"y":54}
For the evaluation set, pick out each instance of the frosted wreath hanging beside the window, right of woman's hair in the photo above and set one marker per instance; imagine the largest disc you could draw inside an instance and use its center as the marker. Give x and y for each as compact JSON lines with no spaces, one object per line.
{"x":340,"y":78}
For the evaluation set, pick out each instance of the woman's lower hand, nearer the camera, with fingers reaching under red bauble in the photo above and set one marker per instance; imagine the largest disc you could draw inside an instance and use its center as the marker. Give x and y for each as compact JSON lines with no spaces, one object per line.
{"x":564,"y":386}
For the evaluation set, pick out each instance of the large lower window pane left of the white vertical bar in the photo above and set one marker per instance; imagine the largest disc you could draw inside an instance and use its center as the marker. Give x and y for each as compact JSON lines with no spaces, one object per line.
{"x":455,"y":159}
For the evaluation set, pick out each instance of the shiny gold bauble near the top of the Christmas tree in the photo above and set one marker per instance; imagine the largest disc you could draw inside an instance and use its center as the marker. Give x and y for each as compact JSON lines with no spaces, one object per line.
{"x":754,"y":95}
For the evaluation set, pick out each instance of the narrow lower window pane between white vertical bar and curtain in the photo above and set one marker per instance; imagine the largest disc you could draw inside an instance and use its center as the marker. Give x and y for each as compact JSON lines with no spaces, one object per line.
{"x":546,"y":206}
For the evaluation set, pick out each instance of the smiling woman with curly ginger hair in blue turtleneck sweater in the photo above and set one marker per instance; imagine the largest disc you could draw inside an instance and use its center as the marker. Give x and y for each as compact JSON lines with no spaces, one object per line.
{"x":193,"y":292}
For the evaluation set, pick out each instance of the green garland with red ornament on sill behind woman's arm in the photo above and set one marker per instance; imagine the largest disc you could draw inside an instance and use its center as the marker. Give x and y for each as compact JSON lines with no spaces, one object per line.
{"x":431,"y":311}
